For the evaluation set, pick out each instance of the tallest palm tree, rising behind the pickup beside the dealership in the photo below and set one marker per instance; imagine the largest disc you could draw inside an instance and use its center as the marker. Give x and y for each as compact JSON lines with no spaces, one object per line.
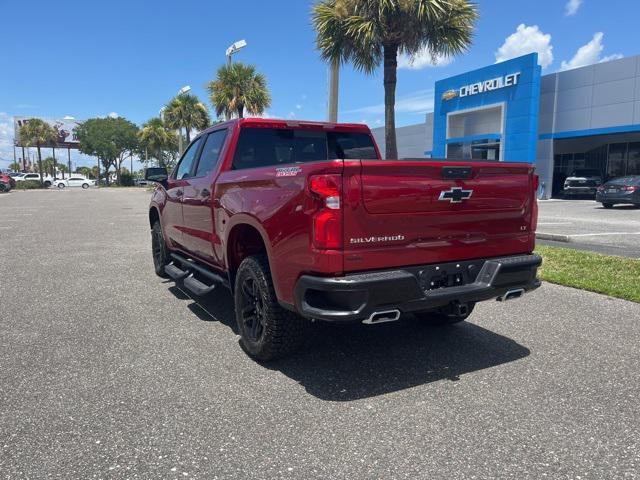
{"x":369,"y":32}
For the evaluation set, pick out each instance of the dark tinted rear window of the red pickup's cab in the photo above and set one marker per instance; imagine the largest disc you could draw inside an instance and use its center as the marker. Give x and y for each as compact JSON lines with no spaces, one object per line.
{"x":261,"y":147}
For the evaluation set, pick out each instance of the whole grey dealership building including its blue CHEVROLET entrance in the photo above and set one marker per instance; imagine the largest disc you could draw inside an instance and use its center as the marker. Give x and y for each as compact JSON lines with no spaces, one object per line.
{"x":588,"y":117}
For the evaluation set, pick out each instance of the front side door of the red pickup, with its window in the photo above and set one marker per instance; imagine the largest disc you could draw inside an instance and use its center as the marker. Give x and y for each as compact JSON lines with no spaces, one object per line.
{"x":172,"y":218}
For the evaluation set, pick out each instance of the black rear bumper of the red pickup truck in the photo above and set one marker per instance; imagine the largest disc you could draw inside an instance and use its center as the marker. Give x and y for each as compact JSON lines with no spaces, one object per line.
{"x":356,"y":297}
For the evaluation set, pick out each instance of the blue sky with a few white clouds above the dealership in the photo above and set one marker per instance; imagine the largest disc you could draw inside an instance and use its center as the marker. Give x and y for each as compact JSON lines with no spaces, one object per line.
{"x":88,"y":59}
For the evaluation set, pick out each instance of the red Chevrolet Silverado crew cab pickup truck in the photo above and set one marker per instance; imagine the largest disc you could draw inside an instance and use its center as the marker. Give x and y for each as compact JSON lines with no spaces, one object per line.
{"x":304,"y":221}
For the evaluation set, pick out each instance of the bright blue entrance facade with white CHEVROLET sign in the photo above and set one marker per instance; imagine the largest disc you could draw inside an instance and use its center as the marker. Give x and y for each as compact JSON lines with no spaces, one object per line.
{"x":493,"y":109}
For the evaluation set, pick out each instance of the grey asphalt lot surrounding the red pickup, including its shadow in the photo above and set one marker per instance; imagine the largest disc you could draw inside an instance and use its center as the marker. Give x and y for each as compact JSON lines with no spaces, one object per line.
{"x":107,"y":371}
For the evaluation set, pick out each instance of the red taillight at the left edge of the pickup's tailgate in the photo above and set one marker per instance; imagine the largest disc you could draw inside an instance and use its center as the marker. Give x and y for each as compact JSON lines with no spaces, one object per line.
{"x":327,"y":222}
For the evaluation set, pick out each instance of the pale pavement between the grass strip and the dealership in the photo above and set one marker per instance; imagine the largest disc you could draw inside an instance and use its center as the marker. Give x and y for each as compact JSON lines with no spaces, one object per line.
{"x":587,"y":225}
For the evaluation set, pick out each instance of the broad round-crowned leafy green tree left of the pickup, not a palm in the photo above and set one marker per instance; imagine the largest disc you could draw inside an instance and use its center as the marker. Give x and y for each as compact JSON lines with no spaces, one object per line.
{"x":112,"y":140}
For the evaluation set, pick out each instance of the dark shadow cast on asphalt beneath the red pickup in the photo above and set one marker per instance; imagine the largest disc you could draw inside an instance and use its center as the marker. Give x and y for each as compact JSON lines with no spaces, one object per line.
{"x":351,"y":362}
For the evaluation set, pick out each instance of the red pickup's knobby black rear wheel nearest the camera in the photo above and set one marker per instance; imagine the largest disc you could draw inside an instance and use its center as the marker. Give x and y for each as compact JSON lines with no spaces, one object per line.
{"x":282,"y":332}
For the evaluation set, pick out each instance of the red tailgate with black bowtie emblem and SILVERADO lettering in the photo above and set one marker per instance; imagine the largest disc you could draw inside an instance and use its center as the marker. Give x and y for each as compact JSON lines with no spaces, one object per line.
{"x":412,"y":212}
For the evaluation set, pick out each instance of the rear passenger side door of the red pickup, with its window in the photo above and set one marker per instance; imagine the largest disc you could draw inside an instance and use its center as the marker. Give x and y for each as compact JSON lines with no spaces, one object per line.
{"x":198,"y":233}
